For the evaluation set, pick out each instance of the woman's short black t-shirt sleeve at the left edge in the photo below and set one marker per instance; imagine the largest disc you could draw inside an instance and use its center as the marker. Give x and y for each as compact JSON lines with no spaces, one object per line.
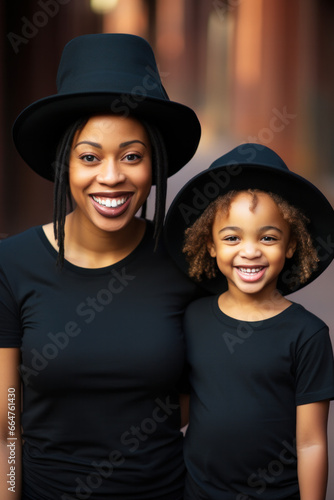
{"x":10,"y":329}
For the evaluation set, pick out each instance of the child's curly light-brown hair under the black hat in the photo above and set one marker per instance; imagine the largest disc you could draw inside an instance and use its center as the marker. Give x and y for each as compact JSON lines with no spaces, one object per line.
{"x":199,"y":235}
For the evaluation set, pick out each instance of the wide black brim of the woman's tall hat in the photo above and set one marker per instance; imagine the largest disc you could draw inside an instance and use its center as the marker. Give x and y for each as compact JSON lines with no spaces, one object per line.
{"x":38,"y":129}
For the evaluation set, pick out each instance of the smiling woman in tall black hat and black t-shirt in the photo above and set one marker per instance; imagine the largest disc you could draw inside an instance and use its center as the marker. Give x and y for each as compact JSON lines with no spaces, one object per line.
{"x":90,"y":304}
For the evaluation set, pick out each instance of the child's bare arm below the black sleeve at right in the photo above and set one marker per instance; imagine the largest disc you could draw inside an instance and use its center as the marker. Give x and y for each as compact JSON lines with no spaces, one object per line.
{"x":312,"y":452}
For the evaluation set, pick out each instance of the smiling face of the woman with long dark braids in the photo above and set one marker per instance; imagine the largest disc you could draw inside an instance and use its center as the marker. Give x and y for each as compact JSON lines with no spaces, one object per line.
{"x":110,"y":171}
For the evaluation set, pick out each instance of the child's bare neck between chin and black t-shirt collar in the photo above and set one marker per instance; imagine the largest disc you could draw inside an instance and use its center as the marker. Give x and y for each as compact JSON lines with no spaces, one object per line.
{"x":248,"y":307}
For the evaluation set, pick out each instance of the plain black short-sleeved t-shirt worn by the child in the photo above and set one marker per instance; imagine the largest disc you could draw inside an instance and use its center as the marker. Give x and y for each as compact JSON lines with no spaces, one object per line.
{"x":246,"y":379}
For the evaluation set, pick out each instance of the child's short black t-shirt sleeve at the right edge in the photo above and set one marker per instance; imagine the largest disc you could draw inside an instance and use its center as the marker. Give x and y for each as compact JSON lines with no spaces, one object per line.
{"x":315,"y":369}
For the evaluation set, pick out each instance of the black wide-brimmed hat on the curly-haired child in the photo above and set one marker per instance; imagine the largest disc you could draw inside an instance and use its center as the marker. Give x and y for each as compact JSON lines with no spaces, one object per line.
{"x":251,"y":166}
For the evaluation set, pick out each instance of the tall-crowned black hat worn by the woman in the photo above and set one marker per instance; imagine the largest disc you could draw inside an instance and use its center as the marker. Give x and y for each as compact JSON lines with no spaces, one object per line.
{"x":98,"y":74}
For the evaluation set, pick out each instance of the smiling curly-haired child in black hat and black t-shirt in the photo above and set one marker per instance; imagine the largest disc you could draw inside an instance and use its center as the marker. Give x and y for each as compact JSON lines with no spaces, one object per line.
{"x":261,"y":366}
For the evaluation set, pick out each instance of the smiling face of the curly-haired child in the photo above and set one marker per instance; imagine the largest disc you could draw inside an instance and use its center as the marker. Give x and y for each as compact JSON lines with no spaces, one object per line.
{"x":251,"y":245}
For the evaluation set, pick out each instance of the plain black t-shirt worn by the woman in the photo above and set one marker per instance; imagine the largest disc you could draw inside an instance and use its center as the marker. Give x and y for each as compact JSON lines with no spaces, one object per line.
{"x":102,"y":357}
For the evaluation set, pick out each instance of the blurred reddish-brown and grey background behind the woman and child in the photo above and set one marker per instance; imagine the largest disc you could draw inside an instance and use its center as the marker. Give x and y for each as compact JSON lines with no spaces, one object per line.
{"x":253,"y":70}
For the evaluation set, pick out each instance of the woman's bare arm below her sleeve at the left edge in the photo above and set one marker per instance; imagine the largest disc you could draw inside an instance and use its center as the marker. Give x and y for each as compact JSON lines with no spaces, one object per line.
{"x":10,"y":425}
